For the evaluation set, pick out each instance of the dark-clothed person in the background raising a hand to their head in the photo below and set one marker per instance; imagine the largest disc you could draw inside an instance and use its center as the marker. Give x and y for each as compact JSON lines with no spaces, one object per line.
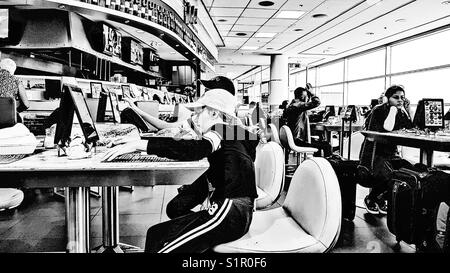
{"x":295,"y":117}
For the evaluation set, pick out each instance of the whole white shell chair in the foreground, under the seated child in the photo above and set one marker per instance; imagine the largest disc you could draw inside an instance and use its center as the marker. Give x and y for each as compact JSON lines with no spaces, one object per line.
{"x":309,"y":220}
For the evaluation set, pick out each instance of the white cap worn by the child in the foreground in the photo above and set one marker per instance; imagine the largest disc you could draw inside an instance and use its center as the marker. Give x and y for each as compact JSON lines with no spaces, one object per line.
{"x":218,"y":99}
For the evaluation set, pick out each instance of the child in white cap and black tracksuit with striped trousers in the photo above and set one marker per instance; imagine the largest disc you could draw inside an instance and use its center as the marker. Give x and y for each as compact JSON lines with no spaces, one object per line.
{"x":229,"y":182}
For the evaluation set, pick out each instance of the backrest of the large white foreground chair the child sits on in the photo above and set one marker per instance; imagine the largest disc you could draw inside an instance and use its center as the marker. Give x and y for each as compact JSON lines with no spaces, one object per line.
{"x":314,"y":200}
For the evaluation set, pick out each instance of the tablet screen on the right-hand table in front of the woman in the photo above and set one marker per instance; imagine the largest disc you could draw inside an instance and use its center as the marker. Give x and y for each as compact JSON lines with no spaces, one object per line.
{"x":429,"y":114}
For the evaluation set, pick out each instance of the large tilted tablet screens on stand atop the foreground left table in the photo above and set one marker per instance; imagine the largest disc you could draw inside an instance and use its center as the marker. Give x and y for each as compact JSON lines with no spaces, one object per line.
{"x":73,"y":101}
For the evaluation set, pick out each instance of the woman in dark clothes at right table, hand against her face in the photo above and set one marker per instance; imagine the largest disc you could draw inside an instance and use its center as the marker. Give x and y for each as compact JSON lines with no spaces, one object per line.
{"x":389,"y":116}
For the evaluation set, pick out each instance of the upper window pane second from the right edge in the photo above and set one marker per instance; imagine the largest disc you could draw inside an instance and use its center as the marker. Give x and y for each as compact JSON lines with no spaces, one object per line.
{"x":367,"y":65}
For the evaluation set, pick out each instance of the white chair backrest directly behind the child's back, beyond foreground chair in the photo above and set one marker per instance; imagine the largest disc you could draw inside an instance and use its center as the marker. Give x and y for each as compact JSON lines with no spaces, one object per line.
{"x":269,"y":172}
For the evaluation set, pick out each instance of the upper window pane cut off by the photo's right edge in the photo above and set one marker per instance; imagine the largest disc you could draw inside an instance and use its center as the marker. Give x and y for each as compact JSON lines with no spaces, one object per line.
{"x":428,"y":51}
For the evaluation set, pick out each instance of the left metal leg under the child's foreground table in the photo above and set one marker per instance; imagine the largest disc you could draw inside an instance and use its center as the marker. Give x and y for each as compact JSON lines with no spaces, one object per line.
{"x":77,"y":219}
